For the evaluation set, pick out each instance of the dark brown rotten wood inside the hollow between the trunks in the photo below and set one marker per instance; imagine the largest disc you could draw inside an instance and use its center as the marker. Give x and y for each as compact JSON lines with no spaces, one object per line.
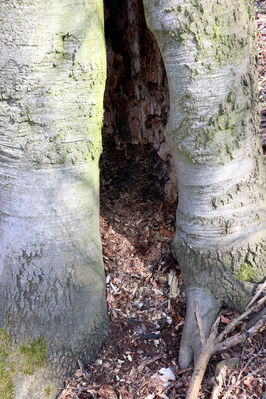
{"x":136,"y":102}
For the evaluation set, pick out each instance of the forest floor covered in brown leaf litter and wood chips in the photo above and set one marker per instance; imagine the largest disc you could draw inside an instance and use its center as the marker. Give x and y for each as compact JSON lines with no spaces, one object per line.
{"x":144,"y":289}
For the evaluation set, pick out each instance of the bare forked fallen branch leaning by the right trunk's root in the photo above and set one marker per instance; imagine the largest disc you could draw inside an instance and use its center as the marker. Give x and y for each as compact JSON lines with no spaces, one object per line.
{"x":216,"y":344}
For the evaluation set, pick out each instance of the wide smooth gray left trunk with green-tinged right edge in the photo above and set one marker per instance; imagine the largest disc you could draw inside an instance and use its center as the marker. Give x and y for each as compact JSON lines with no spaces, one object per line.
{"x":52,"y":73}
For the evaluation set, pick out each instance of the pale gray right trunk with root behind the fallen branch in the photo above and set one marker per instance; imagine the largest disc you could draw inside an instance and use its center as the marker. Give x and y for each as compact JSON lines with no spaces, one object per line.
{"x":209,"y":52}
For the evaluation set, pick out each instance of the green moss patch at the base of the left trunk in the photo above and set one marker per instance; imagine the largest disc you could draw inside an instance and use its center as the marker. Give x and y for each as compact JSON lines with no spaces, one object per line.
{"x":23,"y":358}
